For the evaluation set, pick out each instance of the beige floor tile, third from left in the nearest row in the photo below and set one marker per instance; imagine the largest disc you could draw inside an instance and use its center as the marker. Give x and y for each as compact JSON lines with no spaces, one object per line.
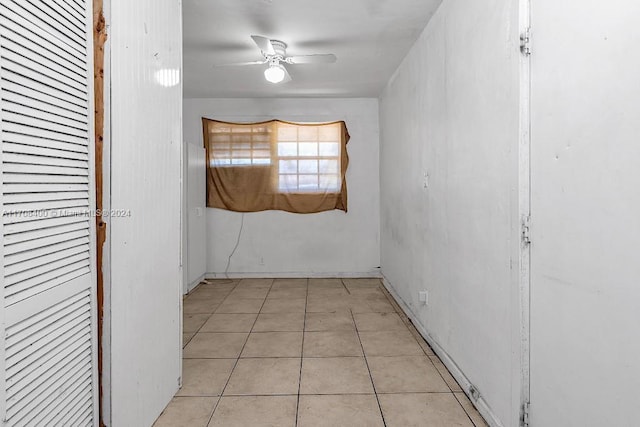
{"x":339,"y":411}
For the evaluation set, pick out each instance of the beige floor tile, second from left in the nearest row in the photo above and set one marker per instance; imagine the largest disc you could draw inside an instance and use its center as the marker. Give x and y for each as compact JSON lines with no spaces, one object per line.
{"x":255,"y":411}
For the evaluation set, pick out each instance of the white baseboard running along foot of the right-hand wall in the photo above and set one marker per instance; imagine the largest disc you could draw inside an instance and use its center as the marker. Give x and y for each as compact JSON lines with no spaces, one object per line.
{"x":478,"y":401}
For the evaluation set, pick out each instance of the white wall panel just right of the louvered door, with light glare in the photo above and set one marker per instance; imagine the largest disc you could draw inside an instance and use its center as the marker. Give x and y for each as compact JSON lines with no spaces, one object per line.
{"x":145,"y":149}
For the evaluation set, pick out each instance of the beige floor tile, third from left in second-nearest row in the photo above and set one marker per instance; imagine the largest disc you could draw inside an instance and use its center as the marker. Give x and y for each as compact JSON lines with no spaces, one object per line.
{"x":335,"y":375}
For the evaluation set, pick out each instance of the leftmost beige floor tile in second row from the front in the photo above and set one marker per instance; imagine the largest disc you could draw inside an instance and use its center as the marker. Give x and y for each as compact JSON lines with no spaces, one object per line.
{"x":205,"y":377}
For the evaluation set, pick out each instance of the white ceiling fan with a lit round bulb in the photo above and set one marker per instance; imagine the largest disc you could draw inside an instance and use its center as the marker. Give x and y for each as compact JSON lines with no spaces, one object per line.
{"x":275,"y":54}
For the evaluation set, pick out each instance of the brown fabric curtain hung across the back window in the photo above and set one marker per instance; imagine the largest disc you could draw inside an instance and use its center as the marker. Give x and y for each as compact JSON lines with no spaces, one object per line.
{"x":276,"y":165}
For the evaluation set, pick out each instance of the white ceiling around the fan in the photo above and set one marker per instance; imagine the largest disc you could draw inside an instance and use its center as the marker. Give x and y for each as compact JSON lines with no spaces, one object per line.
{"x":369,"y":37}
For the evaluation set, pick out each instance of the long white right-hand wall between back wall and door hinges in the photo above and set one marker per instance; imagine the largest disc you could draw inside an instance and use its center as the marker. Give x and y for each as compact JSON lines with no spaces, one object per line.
{"x":451,"y":112}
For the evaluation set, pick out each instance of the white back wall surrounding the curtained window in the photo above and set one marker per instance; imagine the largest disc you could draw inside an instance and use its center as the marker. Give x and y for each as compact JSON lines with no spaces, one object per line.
{"x":275,"y":243}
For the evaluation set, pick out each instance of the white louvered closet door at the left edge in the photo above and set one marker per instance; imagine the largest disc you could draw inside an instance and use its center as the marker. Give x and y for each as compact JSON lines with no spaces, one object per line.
{"x":48,"y":236}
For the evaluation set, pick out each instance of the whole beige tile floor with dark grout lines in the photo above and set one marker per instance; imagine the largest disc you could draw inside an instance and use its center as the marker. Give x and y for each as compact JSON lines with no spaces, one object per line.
{"x":308,"y":352}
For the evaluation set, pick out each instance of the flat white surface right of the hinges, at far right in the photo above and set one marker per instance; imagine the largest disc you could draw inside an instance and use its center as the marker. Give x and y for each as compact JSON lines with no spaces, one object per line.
{"x":585,"y":283}
